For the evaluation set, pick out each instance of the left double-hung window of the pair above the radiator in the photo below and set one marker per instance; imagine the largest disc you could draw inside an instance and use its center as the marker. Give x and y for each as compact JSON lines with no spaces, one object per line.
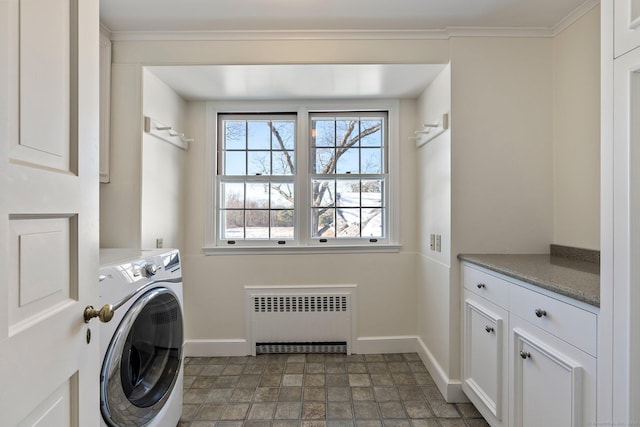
{"x":257,"y":177}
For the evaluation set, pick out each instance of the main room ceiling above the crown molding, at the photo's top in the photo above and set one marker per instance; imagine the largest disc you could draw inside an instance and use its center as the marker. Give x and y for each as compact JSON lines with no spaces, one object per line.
{"x":267,"y":15}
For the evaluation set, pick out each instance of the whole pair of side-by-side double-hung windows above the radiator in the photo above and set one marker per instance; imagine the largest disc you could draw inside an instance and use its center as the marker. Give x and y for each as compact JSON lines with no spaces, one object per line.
{"x":308,"y":178}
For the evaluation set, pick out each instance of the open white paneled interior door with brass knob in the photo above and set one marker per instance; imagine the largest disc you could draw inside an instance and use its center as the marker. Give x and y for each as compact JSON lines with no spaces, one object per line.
{"x":48,"y":212}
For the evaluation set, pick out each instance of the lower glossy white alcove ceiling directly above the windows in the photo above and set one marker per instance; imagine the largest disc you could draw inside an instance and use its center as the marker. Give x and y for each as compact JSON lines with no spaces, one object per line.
{"x":237,"y":82}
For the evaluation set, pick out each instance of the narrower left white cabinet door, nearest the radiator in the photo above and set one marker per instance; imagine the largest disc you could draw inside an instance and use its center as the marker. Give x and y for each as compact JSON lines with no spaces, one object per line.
{"x":484,"y":372}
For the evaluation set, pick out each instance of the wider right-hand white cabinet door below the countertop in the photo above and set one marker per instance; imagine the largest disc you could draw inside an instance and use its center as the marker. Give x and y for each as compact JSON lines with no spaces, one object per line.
{"x":552,"y":383}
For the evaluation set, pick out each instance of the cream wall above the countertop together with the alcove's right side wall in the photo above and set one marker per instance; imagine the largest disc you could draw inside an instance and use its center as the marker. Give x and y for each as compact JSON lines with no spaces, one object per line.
{"x":487,"y":184}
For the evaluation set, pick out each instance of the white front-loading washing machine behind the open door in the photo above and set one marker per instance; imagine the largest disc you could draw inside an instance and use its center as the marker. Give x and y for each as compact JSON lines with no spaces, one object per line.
{"x":142,"y":346}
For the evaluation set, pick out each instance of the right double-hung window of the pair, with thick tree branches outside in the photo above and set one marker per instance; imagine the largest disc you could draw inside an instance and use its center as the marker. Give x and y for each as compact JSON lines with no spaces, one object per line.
{"x":348,"y":176}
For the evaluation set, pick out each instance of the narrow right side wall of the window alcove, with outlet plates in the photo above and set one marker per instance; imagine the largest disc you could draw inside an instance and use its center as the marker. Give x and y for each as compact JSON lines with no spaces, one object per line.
{"x":434,"y":213}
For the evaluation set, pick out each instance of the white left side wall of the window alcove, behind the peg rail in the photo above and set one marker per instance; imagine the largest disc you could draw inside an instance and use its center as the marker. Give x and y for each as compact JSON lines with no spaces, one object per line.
{"x":163,"y":168}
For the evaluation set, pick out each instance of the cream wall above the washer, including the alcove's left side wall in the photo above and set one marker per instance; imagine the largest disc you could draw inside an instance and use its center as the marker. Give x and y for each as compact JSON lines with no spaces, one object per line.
{"x":144,"y":198}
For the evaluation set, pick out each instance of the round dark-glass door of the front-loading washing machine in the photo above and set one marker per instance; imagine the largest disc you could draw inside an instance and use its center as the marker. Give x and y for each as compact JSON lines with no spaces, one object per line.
{"x":143,"y":360}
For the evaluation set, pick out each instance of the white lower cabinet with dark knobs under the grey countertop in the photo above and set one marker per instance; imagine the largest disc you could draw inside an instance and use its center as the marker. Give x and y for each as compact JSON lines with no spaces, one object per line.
{"x":521,"y":364}
